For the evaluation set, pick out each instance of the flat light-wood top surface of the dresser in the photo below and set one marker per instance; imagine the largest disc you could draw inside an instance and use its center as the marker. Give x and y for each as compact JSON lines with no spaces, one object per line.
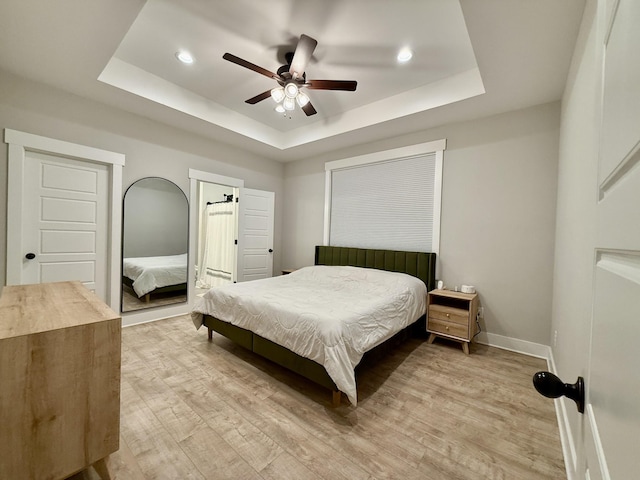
{"x":28,"y":309}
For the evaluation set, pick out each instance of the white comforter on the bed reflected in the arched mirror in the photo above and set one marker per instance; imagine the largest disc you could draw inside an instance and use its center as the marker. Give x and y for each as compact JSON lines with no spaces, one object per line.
{"x":149,"y":273}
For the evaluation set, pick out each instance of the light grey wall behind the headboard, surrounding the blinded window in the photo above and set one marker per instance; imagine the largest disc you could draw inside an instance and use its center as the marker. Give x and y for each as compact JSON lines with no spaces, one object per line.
{"x":498,"y":213}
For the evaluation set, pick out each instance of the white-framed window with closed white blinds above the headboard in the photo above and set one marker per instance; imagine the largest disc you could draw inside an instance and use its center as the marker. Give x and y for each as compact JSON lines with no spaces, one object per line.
{"x":387,"y":200}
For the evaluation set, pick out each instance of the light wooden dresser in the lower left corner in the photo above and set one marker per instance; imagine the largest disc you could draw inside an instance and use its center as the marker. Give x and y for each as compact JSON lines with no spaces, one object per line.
{"x":59,"y":380}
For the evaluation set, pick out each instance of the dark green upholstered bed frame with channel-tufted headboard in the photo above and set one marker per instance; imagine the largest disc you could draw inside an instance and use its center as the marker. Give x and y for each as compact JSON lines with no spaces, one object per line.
{"x":418,"y":264}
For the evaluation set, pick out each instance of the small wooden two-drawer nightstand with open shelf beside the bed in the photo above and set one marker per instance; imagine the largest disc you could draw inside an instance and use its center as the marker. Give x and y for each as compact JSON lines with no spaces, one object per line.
{"x":452,"y":315}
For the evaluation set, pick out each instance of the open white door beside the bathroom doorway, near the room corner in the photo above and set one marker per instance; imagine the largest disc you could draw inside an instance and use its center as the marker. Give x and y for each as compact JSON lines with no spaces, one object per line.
{"x":255,"y":234}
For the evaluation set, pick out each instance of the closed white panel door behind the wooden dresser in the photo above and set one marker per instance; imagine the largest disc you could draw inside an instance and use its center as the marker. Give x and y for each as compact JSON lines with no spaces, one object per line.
{"x":64,"y":229}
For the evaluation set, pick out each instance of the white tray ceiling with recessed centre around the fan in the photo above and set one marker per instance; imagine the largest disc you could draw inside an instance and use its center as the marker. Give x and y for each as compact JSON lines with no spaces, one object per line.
{"x":471,"y":58}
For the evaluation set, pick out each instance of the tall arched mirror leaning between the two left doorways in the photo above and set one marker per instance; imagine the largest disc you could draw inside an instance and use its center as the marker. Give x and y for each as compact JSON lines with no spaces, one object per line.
{"x":154,"y":245}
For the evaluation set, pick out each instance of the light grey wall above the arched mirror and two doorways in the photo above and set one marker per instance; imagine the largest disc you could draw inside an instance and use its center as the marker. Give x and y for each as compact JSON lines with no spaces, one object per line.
{"x":151,"y":148}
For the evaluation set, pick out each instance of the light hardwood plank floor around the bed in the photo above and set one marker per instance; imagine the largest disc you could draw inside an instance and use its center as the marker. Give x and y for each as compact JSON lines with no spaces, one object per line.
{"x":212,"y":410}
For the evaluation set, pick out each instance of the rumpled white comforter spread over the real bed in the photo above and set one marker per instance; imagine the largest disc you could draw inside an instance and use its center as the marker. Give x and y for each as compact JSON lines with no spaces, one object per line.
{"x":331,"y":315}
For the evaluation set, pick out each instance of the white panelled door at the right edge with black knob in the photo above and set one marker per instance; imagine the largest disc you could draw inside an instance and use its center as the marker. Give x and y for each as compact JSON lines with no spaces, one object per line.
{"x":611,"y":424}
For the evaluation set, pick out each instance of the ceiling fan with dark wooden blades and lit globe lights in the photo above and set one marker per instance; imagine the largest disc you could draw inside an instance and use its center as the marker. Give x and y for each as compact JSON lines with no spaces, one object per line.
{"x":292,"y":78}
